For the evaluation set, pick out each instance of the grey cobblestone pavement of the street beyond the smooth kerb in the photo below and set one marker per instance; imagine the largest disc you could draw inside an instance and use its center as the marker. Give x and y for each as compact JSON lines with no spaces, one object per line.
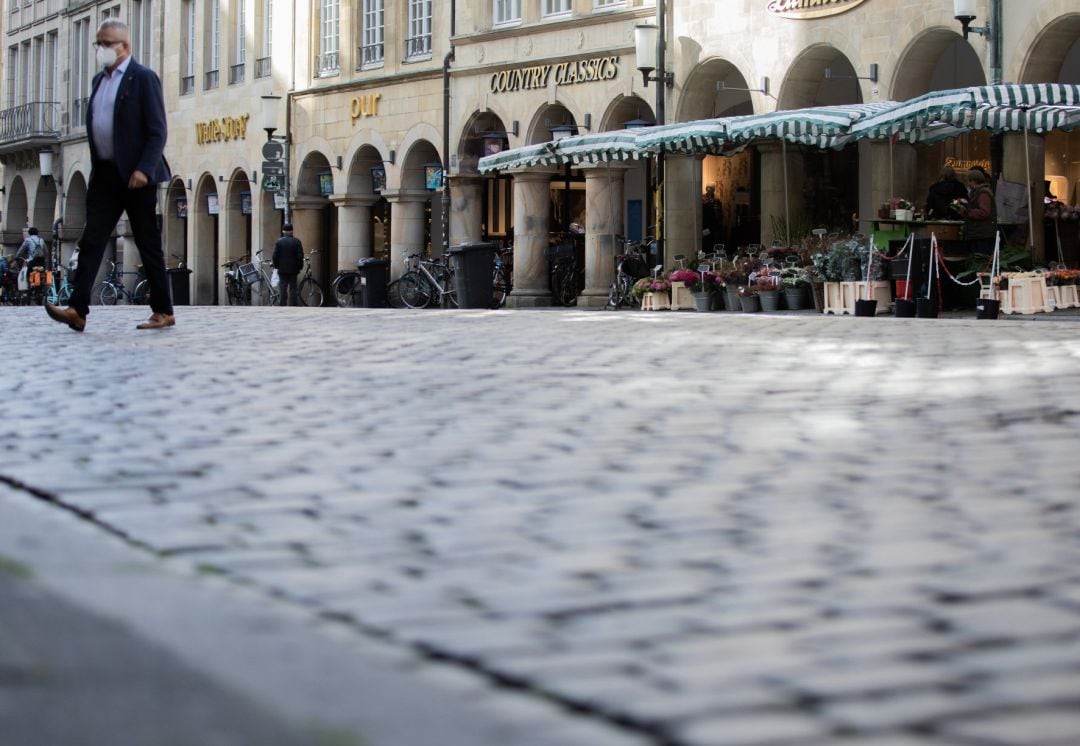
{"x":696,"y":530}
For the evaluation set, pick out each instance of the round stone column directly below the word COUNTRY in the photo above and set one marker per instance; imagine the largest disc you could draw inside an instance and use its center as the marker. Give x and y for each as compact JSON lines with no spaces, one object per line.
{"x":532,"y":208}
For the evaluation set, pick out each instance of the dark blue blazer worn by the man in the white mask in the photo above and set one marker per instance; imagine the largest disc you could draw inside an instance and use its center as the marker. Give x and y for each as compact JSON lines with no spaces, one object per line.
{"x":139,"y":125}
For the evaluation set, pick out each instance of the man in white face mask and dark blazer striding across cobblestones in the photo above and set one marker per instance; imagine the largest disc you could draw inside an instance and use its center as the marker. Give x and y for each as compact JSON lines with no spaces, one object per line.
{"x":126,"y":120}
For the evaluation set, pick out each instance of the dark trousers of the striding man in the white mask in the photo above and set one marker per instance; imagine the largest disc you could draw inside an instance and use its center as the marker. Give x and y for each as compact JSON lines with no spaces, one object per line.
{"x":107,"y":199}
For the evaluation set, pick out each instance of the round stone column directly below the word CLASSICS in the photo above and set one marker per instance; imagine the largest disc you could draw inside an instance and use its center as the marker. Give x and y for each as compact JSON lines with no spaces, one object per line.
{"x":604,"y":222}
